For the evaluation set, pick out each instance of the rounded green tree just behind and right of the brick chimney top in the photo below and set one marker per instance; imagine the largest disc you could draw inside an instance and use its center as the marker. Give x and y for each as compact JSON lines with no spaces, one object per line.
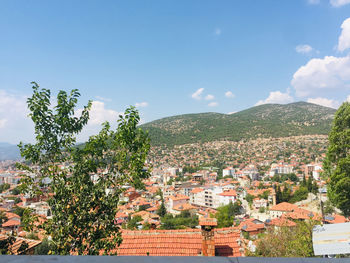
{"x":225,"y":215}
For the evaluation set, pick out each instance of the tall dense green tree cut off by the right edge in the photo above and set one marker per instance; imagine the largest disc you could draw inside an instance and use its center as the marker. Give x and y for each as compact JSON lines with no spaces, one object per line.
{"x":337,"y":162}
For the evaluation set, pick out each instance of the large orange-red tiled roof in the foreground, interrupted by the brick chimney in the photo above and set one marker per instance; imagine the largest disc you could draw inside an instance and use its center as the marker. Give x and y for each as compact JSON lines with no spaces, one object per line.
{"x":177,"y":243}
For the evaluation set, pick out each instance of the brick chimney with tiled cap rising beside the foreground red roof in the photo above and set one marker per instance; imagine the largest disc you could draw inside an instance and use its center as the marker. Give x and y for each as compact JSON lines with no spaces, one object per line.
{"x":208,"y":242}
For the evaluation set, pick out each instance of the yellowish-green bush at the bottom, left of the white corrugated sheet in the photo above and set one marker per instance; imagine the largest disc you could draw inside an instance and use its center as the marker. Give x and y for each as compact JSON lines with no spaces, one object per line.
{"x":287,"y":241}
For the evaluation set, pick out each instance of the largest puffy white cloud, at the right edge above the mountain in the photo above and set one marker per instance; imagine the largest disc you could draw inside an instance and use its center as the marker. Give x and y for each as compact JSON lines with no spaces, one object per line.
{"x":322,"y":74}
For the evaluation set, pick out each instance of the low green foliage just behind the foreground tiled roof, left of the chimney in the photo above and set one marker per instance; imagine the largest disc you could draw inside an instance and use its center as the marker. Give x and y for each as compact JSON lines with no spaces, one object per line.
{"x":183,"y":220}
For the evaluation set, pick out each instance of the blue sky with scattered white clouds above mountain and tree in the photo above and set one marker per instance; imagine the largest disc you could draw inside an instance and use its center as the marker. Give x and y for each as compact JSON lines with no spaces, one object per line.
{"x":171,"y":57}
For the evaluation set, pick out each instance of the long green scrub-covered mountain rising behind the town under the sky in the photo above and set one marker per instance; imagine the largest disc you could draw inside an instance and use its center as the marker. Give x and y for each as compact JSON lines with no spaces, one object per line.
{"x":268,"y":120}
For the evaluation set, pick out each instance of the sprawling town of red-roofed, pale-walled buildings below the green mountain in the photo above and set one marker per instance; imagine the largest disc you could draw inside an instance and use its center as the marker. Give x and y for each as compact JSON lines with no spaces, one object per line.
{"x":260,"y":184}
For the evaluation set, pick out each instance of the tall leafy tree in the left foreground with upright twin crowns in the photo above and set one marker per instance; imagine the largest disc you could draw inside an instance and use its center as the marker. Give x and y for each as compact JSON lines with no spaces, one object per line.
{"x":83,"y":209}
